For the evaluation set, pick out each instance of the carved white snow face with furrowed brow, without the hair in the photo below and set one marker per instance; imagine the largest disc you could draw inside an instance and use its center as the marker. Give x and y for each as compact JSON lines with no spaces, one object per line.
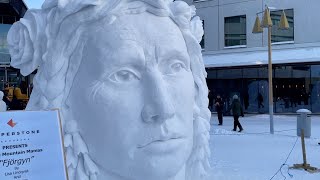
{"x":133,"y":98}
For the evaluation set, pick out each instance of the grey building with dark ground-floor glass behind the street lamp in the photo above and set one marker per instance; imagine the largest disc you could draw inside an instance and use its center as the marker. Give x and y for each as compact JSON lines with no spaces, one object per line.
{"x":236,"y":59}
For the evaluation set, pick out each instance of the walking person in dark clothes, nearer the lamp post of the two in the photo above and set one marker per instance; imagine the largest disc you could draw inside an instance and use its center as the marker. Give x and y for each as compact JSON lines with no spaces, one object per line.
{"x":237,"y":111}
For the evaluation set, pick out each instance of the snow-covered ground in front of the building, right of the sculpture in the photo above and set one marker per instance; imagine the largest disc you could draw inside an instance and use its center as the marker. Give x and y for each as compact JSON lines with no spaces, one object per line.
{"x":255,"y":154}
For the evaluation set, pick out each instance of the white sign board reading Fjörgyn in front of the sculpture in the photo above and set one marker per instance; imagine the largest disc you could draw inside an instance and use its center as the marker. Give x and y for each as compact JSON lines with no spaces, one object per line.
{"x":31,"y":146}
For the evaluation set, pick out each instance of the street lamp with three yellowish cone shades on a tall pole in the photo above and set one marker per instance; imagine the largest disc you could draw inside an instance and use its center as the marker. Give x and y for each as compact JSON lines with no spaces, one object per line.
{"x":258,"y":28}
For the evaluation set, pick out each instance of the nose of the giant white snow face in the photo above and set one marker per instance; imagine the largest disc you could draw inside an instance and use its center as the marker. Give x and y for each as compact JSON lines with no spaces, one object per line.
{"x":158,"y":105}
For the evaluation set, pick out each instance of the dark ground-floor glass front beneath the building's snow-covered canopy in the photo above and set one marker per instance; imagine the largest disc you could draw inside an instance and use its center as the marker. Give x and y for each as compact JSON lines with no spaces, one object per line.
{"x":295,"y":86}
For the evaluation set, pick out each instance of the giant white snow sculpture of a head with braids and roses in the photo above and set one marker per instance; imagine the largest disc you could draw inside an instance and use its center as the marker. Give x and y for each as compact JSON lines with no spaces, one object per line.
{"x":129,"y":80}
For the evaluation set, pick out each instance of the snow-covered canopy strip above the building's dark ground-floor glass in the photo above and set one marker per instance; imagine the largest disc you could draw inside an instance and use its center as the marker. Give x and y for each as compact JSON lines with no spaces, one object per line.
{"x":279,"y":56}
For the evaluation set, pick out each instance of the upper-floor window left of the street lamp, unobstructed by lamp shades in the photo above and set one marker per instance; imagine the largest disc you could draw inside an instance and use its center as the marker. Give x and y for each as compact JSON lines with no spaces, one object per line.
{"x":235,"y":31}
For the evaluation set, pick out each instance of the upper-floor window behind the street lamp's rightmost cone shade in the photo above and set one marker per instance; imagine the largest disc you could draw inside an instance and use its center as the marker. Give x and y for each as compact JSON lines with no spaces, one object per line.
{"x":279,"y":35}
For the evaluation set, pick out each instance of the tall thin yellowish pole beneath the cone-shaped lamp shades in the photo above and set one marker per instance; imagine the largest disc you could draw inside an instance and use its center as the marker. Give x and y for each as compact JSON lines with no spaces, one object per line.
{"x":270,"y":81}
